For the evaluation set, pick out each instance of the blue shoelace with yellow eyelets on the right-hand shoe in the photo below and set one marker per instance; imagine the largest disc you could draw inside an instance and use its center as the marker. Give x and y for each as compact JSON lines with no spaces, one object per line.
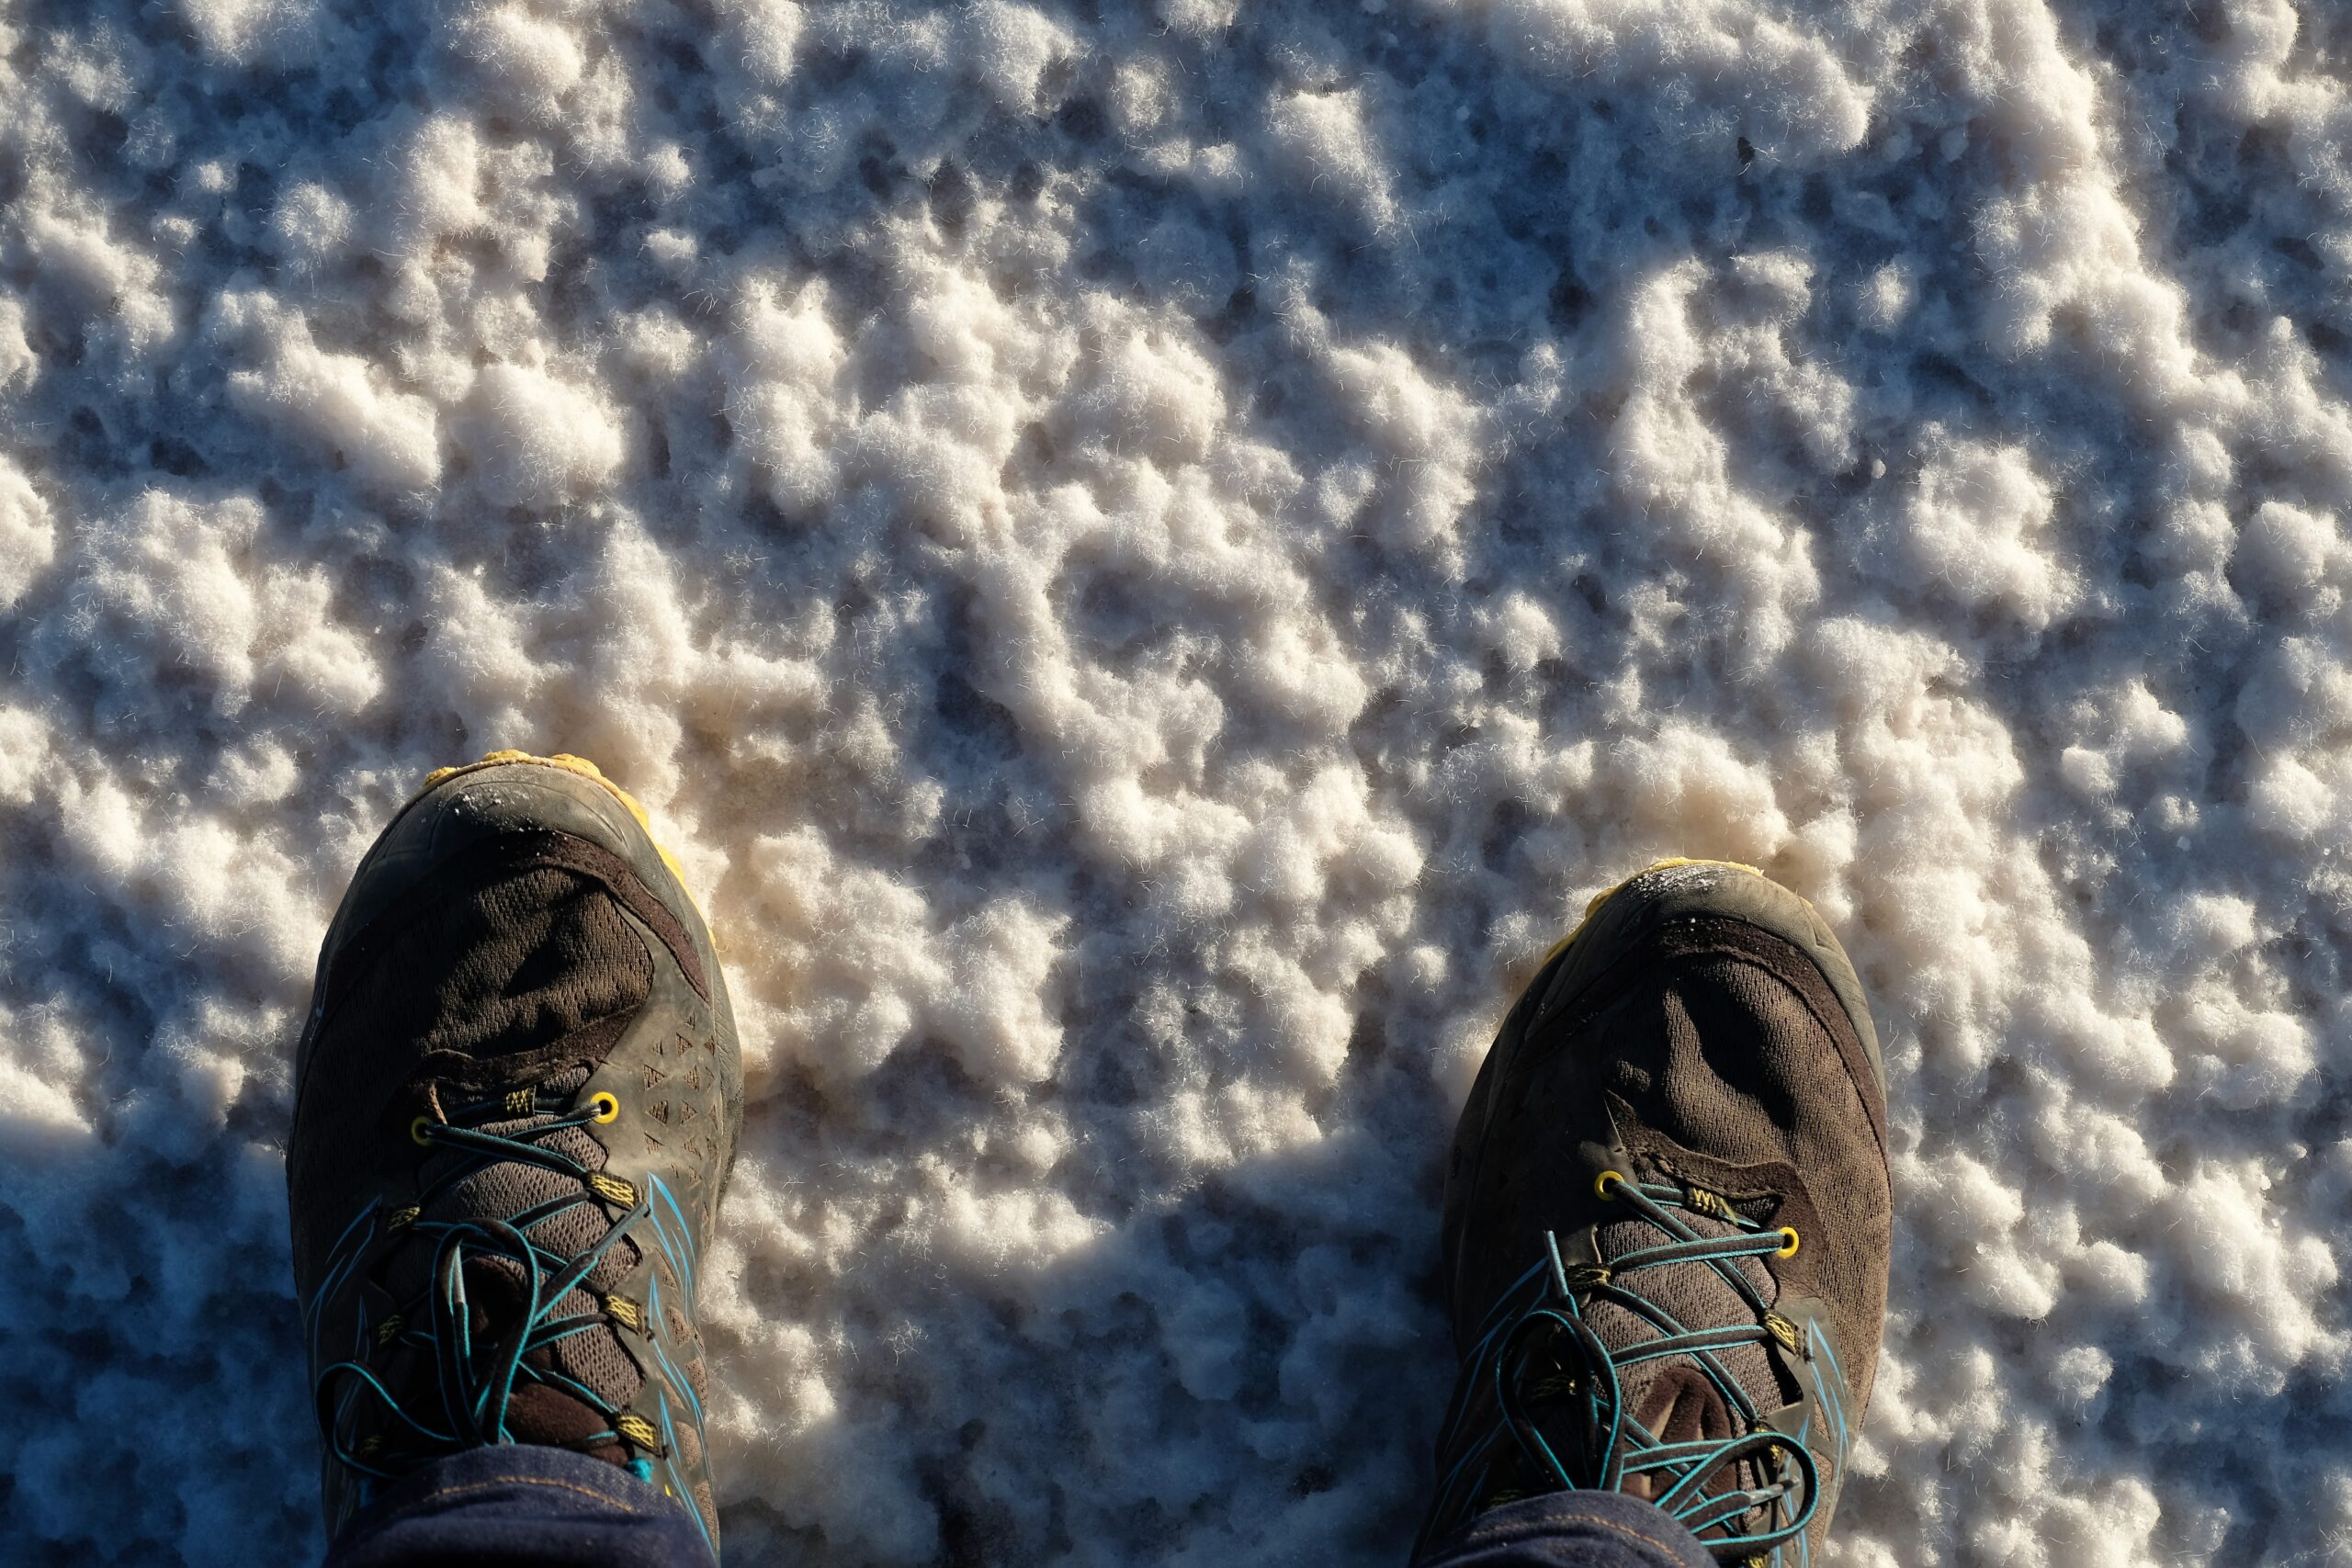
{"x":1584,"y":1386}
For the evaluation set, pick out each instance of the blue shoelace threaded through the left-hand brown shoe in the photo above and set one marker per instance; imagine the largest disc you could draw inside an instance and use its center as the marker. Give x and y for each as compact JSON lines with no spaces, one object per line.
{"x":476,"y":1381}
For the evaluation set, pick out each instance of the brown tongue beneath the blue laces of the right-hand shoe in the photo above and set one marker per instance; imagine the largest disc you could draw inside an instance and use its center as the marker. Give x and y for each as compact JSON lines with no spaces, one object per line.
{"x":1673,"y":1395}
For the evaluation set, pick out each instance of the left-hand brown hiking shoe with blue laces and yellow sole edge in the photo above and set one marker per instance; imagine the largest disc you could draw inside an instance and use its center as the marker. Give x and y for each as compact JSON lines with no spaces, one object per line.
{"x":516,"y":1104}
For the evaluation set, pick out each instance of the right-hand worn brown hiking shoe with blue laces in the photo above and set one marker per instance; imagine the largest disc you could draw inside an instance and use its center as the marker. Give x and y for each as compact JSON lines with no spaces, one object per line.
{"x":1669,"y":1221}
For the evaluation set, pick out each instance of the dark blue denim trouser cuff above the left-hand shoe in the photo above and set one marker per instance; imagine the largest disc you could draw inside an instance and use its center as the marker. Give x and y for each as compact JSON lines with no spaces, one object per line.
{"x":521,"y":1508}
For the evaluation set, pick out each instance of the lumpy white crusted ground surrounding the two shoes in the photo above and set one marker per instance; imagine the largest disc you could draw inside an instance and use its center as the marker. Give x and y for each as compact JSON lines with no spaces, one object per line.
{"x":1151,"y":558}
